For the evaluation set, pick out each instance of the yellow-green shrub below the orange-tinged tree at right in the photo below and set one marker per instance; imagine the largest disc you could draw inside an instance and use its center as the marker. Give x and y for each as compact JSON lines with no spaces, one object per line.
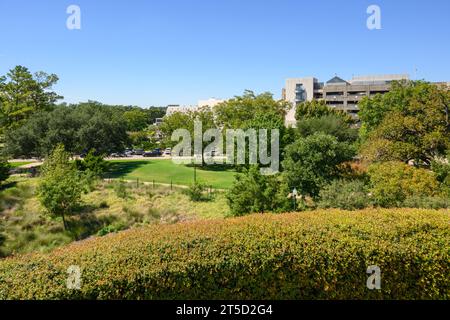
{"x":393,"y":182}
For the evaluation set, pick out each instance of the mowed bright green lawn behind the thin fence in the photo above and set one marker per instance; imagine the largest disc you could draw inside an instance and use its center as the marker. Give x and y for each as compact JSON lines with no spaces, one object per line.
{"x":164,"y":171}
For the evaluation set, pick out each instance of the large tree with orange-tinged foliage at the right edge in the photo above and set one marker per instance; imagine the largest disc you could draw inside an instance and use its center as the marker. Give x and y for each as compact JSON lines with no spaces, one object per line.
{"x":408,"y":123}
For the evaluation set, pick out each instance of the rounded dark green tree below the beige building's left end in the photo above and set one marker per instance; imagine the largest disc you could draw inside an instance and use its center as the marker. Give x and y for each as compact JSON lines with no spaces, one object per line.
{"x":312,"y":162}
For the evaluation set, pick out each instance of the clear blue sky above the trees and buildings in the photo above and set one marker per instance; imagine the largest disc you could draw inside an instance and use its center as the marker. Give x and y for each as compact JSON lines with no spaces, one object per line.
{"x":172,"y":51}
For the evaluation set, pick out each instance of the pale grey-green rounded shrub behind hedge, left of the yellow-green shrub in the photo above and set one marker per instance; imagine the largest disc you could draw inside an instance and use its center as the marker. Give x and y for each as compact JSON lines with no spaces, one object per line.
{"x":343,"y":194}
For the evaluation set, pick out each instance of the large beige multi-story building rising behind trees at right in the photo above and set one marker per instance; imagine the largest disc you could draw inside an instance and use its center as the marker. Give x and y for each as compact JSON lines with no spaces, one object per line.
{"x":337,"y":93}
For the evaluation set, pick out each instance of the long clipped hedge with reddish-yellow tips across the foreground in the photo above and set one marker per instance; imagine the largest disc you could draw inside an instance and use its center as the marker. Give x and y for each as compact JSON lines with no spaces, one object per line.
{"x":316,"y":255}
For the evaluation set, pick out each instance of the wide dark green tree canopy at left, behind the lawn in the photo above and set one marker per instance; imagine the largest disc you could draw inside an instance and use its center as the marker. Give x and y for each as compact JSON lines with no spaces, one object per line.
{"x":79,"y":127}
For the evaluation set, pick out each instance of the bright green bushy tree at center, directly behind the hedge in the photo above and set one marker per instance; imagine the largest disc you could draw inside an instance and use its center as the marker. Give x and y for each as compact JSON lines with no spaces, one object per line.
{"x":253,"y":192}
